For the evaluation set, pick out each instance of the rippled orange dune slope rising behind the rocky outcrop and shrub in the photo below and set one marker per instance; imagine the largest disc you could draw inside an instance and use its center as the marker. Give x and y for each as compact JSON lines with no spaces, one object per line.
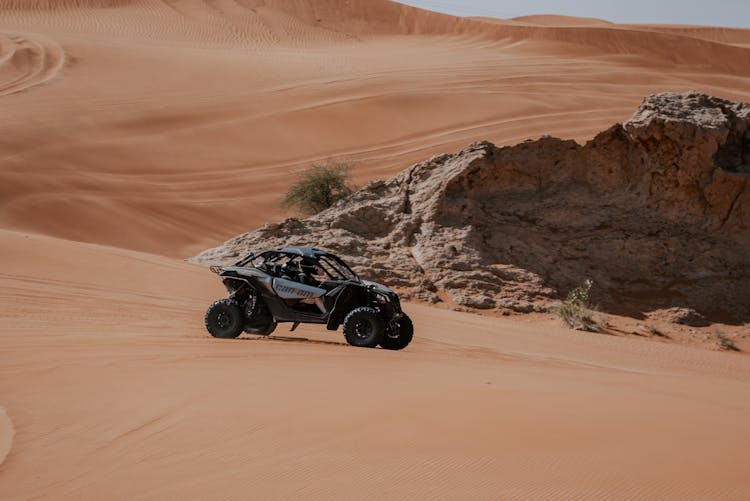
{"x":184,"y":121}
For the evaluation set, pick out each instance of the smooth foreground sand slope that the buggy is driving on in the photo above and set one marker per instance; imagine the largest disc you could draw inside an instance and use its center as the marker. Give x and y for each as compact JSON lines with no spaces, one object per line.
{"x":116,"y":391}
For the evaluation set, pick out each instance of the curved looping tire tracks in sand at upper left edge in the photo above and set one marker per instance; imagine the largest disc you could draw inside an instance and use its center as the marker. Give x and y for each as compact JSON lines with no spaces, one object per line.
{"x":27,"y":60}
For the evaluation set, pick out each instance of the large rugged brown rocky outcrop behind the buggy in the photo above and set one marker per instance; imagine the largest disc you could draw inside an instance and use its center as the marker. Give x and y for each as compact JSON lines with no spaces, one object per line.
{"x":656,"y":211}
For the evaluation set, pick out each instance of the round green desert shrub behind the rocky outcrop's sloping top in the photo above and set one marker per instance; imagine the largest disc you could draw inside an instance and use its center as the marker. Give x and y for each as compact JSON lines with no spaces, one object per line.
{"x":318,"y":188}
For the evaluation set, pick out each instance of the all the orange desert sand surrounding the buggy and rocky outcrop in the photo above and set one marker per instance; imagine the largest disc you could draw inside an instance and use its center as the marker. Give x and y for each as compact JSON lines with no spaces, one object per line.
{"x":138,"y":129}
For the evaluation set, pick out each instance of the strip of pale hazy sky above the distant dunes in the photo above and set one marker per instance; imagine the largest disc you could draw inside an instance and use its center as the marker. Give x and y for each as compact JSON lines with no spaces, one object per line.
{"x":706,"y":12}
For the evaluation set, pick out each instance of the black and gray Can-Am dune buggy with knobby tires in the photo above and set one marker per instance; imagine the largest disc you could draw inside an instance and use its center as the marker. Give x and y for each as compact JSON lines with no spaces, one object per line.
{"x":306,"y":285}
